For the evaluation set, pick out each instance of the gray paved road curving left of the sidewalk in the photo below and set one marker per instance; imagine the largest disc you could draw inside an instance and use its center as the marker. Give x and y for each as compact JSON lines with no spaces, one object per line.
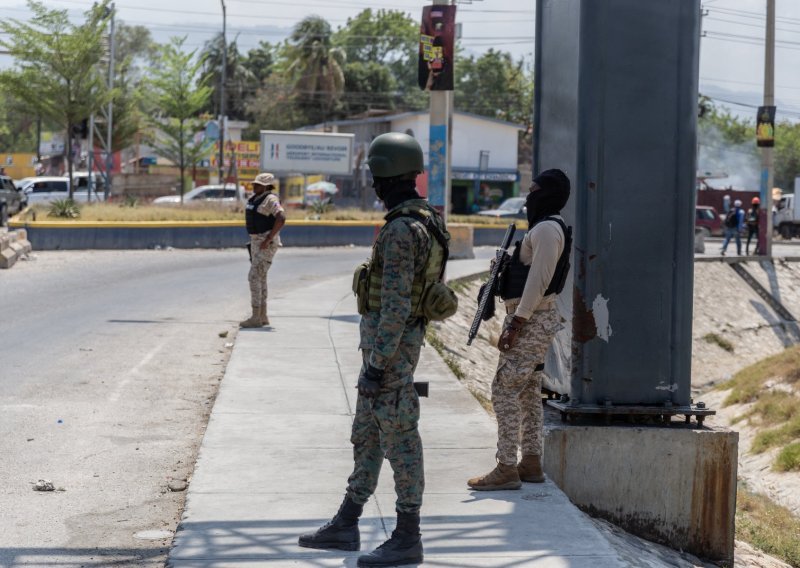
{"x":109,"y":365}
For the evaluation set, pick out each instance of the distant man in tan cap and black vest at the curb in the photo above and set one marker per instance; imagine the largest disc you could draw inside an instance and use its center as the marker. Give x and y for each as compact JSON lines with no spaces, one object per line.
{"x":264,"y":218}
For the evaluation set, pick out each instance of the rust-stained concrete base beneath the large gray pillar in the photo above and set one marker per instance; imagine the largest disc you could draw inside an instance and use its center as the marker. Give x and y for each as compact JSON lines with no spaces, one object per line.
{"x":676,"y":486}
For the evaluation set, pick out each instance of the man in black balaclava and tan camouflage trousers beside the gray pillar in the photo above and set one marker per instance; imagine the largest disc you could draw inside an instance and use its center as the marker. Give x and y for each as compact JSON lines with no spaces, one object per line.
{"x":529,"y":327}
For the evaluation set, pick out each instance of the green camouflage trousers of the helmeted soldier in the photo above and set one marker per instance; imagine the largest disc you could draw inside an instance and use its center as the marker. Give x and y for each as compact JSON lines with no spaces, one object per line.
{"x":386,"y":427}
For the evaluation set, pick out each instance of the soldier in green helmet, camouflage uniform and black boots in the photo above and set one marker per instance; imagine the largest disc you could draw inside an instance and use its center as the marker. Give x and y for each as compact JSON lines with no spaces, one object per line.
{"x":392,"y":333}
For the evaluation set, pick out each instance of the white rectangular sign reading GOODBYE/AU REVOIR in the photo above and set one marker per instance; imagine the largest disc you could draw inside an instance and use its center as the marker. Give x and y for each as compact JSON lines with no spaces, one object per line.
{"x":306,"y":152}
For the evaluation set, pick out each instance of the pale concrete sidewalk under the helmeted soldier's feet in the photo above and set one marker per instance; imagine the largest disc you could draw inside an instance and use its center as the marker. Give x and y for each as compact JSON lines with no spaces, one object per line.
{"x":276,"y":455}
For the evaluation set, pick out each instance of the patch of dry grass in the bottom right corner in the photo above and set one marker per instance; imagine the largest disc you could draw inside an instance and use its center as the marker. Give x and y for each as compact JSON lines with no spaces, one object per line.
{"x":767,"y":526}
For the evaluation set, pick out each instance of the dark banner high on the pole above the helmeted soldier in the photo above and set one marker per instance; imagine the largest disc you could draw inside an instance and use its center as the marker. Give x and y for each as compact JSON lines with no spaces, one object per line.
{"x":436,"y":47}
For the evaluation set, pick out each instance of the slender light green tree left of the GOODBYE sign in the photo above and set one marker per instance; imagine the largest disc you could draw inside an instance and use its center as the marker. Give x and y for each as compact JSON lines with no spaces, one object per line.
{"x":179,"y":95}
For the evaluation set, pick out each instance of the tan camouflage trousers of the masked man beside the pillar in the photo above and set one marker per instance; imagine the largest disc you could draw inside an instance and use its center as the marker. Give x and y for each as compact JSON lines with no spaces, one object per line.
{"x":517,"y":388}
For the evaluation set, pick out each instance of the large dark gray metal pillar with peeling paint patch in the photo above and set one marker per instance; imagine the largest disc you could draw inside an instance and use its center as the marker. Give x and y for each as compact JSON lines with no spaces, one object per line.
{"x":616,"y":106}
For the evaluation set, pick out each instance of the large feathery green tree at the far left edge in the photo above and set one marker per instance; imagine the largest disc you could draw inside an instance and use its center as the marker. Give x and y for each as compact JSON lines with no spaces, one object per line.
{"x":56,"y":73}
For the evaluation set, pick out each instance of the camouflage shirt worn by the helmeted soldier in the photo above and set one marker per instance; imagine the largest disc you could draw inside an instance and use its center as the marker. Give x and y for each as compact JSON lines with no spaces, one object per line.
{"x":392,"y":336}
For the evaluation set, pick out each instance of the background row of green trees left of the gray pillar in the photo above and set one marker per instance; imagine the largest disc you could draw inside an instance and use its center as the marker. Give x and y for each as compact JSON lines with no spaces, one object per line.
{"x":165,"y":92}
